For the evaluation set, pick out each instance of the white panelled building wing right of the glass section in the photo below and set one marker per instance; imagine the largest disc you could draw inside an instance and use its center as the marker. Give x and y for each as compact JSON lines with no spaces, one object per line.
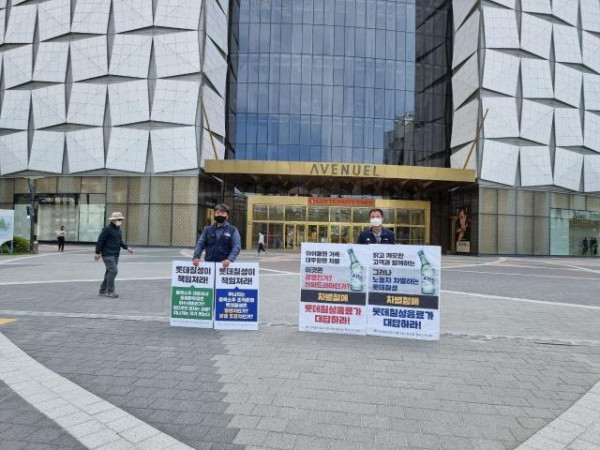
{"x":526,"y":117}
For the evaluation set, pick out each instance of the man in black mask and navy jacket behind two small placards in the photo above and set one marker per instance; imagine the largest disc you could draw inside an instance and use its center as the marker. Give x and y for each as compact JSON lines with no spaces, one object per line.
{"x":221,"y":241}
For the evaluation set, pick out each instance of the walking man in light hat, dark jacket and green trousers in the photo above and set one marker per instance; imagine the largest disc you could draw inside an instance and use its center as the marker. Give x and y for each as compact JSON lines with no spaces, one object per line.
{"x":109,"y":245}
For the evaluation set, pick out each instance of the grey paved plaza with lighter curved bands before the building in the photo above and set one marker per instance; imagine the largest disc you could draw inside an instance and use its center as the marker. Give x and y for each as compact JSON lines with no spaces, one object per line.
{"x":517,"y":365}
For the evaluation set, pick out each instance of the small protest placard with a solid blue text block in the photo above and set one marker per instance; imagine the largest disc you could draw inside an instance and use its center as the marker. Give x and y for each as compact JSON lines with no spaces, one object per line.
{"x":236,"y":299}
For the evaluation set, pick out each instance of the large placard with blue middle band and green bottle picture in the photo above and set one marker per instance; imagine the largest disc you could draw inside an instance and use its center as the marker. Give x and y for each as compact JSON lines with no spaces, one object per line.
{"x":404,"y":289}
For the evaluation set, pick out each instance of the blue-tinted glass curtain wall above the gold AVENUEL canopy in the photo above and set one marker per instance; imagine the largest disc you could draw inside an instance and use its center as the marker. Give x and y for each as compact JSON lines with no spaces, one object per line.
{"x":362,"y":81}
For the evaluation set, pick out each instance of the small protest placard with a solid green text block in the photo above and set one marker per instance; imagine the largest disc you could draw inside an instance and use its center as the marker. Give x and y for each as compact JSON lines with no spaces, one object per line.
{"x":192,"y":290}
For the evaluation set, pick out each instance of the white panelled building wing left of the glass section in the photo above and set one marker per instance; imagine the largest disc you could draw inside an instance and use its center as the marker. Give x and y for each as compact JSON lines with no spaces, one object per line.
{"x":101,"y":109}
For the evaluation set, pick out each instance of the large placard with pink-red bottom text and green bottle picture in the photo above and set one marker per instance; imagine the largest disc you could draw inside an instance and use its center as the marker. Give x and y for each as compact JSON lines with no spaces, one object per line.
{"x":333,"y":288}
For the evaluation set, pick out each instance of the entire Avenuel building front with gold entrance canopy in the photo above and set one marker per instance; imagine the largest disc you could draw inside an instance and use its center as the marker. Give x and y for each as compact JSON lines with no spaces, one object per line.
{"x":473,"y":124}
